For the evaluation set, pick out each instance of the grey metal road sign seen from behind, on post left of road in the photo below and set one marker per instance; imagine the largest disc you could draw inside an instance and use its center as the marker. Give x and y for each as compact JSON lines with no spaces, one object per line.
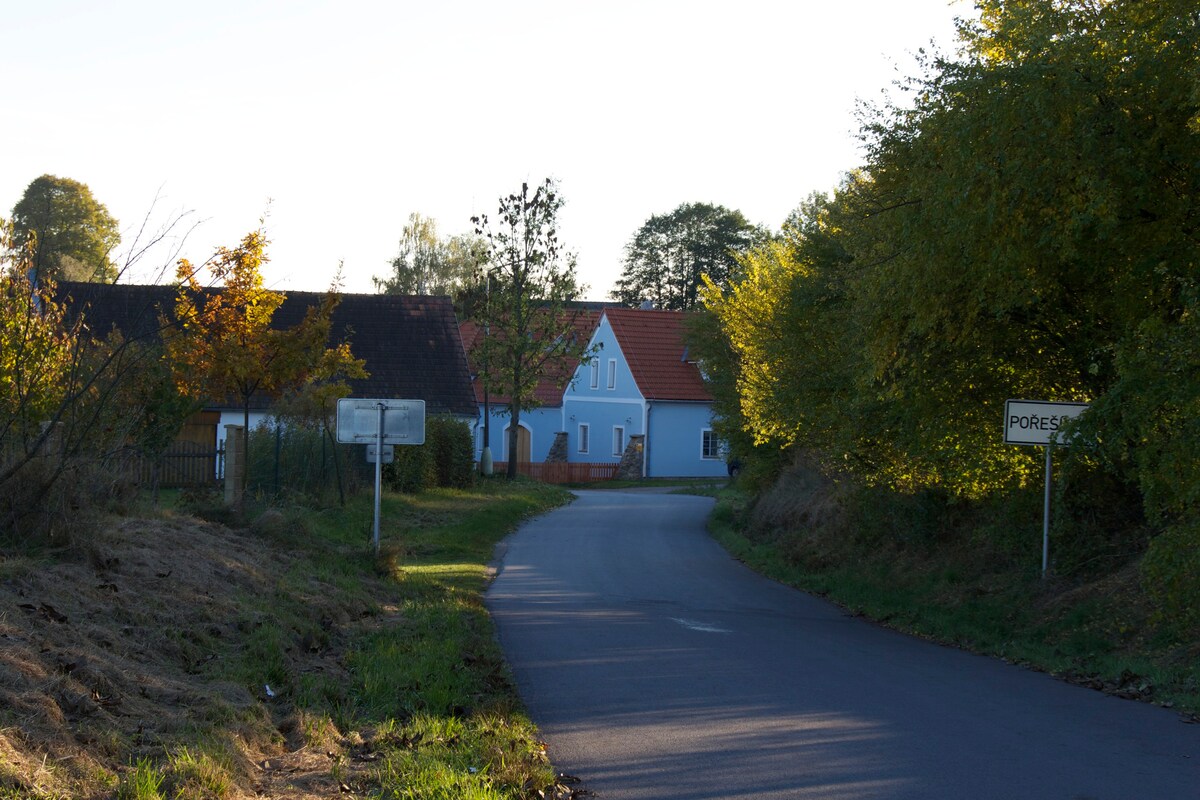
{"x":377,"y":424}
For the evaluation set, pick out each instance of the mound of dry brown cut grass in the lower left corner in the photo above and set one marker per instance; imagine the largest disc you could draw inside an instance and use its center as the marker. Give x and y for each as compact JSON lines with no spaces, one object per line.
{"x":106,"y":659}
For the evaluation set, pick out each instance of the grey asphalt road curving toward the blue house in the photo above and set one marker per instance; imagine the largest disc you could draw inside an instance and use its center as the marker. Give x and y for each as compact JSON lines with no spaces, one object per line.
{"x":657,"y":666}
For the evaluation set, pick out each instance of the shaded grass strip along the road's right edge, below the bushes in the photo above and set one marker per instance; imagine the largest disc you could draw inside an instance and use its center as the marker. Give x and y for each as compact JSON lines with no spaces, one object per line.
{"x":1097,"y":633}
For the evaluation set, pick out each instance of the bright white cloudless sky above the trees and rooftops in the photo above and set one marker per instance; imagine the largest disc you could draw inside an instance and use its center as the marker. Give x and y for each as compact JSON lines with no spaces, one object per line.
{"x":346,"y":117}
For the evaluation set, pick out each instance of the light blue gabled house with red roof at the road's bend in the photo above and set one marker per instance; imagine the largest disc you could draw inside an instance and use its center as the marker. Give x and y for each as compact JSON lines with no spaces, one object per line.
{"x":643,"y":383}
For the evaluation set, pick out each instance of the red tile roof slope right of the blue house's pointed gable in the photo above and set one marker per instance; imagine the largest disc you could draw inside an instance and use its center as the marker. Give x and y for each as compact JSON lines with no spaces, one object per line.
{"x":653,"y":344}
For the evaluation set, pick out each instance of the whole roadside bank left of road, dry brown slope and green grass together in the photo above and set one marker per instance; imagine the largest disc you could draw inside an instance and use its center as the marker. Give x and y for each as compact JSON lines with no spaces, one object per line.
{"x":172,"y":658}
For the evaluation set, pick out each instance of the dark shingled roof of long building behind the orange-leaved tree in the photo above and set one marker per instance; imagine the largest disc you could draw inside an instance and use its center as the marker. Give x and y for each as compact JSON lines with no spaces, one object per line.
{"x":411,"y":345}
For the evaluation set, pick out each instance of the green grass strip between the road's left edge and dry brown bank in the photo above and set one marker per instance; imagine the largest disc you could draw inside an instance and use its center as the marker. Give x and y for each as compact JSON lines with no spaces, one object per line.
{"x":430,"y":705}
